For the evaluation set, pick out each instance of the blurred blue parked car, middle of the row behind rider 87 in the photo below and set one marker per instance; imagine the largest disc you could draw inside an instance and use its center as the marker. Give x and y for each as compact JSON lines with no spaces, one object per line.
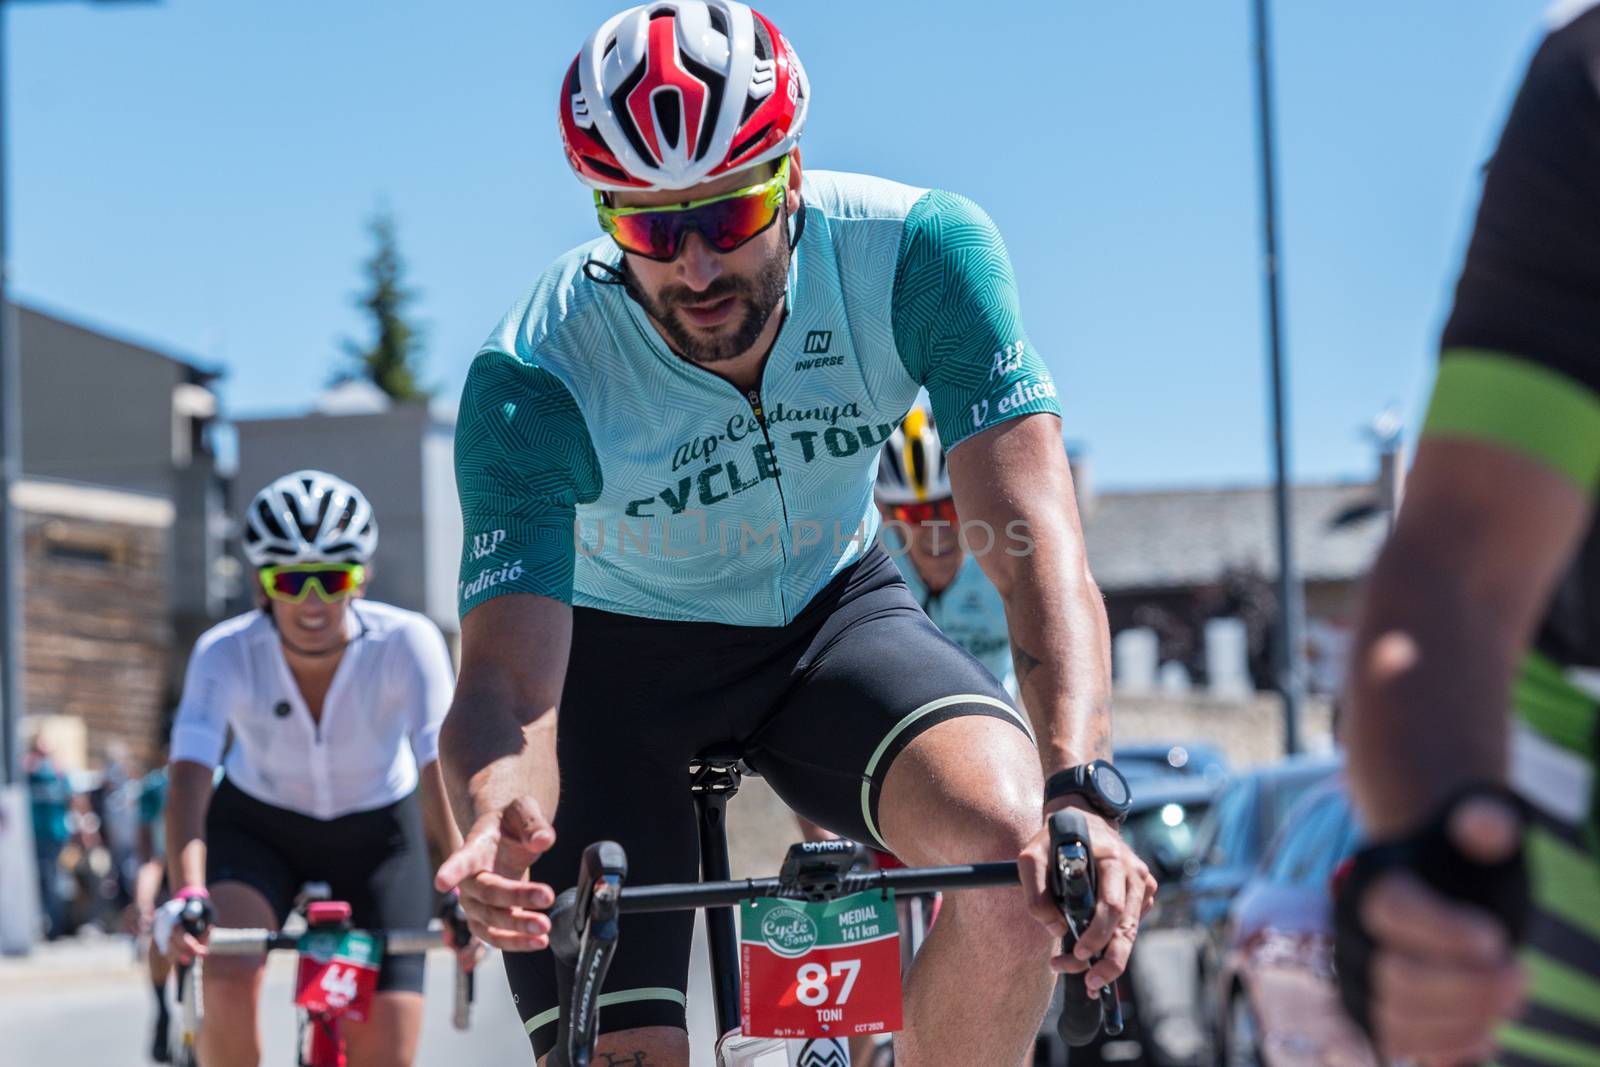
{"x":1228,"y":850}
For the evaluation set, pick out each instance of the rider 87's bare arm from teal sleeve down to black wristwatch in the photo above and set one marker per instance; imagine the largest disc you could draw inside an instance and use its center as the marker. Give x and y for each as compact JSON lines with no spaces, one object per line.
{"x":1015,"y":479}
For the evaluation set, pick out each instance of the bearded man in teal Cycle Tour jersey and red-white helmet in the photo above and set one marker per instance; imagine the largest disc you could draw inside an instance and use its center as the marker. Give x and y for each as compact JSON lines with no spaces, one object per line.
{"x":666,"y":458}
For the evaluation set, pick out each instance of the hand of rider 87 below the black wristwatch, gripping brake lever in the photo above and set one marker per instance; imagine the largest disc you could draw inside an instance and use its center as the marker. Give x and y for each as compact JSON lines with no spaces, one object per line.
{"x":1127,"y":890}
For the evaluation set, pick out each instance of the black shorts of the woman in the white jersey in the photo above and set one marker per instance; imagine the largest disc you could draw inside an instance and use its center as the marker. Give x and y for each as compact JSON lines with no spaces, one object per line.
{"x":377,"y":861}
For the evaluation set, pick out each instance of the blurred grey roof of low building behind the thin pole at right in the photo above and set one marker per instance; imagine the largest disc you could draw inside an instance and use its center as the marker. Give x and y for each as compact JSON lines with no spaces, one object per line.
{"x":1185,"y":538}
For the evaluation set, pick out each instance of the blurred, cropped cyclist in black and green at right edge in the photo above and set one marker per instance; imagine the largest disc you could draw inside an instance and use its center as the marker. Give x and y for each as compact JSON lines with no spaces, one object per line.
{"x":1486,"y":599}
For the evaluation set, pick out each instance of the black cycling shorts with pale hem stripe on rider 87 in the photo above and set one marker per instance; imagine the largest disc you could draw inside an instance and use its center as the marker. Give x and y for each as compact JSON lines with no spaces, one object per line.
{"x":820,"y":708}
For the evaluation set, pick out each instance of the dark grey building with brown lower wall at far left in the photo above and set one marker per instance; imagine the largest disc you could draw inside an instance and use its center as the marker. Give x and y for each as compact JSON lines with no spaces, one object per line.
{"x":124,"y":521}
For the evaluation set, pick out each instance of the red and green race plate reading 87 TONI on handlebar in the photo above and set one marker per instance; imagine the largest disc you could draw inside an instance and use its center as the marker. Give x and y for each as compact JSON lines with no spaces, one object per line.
{"x":825,"y":970}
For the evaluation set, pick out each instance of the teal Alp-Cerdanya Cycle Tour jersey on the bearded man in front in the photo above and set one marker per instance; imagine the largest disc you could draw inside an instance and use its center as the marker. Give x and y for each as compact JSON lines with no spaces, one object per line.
{"x":599,"y":468}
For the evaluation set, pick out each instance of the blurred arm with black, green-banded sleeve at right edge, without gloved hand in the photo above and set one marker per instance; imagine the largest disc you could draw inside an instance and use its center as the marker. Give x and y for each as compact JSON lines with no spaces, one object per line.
{"x":1510,"y":460}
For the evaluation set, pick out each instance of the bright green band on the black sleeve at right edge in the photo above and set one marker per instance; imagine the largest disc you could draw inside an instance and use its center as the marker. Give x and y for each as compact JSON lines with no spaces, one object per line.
{"x":1529,"y":409}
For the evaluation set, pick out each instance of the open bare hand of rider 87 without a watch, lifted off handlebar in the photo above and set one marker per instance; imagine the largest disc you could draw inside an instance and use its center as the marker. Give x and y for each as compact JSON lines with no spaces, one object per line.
{"x":490,"y":869}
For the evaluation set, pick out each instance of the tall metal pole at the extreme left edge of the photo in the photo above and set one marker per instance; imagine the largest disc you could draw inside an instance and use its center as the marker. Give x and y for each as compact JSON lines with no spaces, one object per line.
{"x":10,"y":474}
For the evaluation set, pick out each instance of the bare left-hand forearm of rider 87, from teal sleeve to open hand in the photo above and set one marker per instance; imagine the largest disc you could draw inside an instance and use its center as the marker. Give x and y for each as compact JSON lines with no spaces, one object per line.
{"x":498,"y":741}
